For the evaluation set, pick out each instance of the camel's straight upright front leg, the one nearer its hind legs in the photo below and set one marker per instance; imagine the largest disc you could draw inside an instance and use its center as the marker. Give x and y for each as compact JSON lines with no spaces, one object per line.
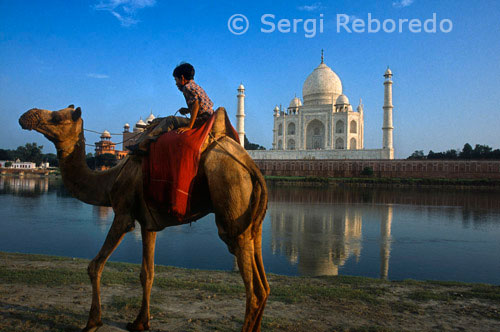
{"x":147,"y":275}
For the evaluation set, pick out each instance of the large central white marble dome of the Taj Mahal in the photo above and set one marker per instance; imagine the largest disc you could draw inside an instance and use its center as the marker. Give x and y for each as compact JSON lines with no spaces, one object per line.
{"x":322,"y":86}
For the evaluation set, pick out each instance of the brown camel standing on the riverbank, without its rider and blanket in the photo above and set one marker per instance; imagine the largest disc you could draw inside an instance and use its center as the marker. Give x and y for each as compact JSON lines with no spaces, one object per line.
{"x":228,"y":184}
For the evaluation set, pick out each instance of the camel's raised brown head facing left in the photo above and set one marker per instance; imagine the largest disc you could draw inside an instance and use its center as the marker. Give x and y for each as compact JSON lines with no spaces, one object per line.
{"x":63,"y":127}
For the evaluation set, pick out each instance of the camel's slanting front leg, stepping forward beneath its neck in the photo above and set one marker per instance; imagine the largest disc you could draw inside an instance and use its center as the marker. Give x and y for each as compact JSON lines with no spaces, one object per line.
{"x":121,"y":225}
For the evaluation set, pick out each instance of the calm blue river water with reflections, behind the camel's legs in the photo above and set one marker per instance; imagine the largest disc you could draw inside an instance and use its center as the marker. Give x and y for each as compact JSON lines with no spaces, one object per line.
{"x":423,"y":234}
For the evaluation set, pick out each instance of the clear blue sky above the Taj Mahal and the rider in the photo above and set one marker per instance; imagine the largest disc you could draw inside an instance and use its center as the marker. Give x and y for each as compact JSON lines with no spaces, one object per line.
{"x":114,"y":59}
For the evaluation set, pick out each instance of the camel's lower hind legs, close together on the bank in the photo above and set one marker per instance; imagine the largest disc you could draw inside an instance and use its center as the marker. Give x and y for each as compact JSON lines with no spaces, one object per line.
{"x":249,"y":255}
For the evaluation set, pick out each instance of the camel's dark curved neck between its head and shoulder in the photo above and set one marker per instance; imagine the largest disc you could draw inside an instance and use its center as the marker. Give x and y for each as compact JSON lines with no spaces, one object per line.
{"x":92,"y":187}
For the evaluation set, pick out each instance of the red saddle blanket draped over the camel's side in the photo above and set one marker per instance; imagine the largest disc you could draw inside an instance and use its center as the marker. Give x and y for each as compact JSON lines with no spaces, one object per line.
{"x":171,"y":165}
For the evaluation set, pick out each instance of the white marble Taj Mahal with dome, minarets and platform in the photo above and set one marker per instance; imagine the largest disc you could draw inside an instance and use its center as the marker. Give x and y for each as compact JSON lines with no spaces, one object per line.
{"x":325,"y":125}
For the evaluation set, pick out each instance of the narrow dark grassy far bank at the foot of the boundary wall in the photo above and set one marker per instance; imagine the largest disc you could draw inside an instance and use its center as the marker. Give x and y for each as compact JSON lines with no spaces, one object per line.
{"x":306,"y":181}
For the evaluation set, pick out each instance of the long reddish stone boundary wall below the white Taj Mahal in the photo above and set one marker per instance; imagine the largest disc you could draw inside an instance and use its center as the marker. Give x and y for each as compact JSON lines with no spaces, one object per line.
{"x":403,"y":168}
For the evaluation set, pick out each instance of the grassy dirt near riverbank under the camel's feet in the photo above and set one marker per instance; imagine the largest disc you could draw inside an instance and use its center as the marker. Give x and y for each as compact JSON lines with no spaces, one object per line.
{"x":46,"y":293}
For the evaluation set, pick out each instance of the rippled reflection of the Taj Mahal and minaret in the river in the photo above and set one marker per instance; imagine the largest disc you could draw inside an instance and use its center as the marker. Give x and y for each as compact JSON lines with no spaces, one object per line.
{"x":320,"y":238}
